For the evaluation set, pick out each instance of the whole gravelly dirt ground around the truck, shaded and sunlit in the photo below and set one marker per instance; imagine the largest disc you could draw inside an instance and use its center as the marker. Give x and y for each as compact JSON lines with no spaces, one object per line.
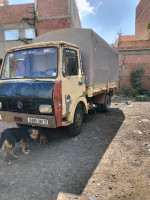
{"x":109,"y":160}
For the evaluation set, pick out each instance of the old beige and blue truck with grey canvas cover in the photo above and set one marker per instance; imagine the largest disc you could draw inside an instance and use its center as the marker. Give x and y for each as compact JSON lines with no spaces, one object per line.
{"x":55,"y":80}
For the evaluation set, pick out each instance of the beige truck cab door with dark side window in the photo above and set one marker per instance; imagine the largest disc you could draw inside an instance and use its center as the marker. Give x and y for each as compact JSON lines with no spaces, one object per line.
{"x":72,"y":84}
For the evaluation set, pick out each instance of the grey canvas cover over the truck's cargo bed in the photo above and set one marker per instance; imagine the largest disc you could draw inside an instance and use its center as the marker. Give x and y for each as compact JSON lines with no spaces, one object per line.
{"x":100,"y":60}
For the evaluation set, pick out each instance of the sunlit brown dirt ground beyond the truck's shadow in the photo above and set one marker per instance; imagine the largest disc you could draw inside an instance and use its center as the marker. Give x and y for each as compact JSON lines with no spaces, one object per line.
{"x":124,"y":171}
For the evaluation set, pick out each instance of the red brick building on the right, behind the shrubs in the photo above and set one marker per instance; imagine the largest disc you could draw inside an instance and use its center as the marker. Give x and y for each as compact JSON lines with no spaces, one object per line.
{"x":134,"y":50}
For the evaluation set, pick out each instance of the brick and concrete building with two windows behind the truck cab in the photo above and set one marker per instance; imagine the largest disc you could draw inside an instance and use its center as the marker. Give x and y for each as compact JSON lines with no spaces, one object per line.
{"x":19,"y":24}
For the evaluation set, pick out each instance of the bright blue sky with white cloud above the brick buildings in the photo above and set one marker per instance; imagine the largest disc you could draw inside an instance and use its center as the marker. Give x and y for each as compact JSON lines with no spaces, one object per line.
{"x":106,"y":17}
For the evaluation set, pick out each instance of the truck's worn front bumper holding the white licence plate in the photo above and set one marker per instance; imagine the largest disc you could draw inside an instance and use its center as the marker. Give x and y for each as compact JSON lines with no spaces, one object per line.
{"x":28,"y":119}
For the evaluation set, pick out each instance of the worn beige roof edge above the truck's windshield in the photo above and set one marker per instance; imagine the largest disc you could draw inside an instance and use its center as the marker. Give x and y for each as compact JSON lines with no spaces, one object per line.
{"x":41,"y":44}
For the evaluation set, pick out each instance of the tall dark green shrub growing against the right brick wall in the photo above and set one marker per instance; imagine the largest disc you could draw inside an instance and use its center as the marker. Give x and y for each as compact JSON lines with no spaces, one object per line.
{"x":136,"y":78}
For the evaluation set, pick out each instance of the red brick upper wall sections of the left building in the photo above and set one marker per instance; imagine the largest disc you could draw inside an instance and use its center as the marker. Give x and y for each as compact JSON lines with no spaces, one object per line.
{"x":52,"y":15}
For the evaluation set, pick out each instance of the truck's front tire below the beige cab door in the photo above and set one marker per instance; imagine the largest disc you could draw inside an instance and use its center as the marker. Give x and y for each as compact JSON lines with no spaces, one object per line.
{"x":75,"y":128}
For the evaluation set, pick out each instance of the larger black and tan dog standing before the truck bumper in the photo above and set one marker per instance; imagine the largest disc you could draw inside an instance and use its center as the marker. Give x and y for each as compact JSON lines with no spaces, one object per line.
{"x":11,"y":136}
